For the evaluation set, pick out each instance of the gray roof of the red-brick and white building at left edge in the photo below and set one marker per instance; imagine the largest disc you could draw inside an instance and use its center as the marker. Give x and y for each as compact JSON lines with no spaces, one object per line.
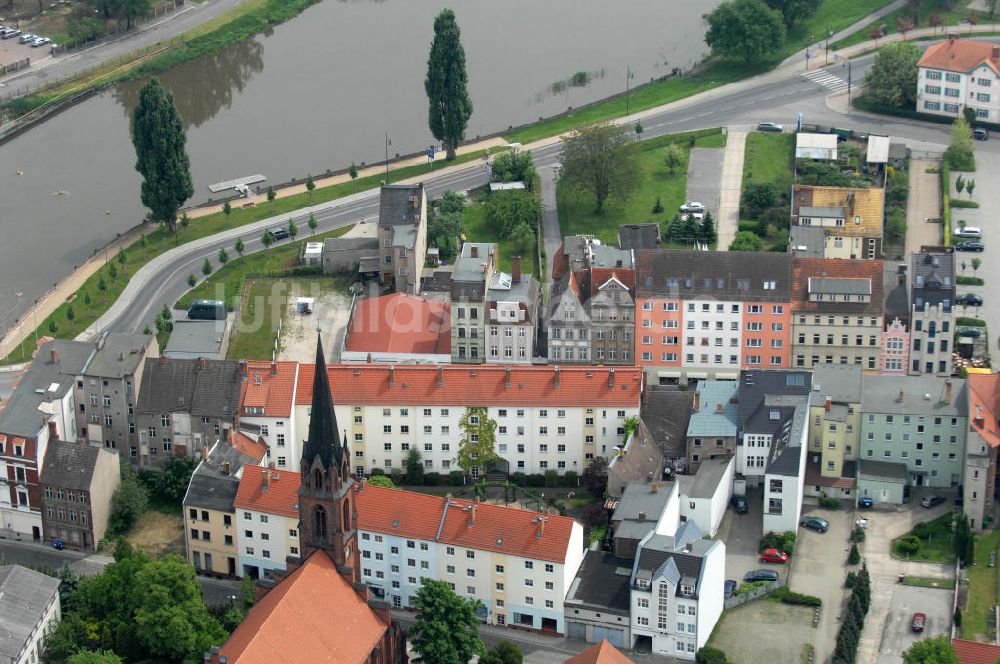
{"x":43,"y":382}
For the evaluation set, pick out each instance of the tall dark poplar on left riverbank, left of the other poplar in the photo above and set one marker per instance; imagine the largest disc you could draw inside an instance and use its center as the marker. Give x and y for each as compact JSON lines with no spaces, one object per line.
{"x":161,"y":157}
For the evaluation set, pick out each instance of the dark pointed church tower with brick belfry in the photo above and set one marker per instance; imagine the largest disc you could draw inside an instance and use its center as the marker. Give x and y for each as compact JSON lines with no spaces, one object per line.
{"x":326,"y":502}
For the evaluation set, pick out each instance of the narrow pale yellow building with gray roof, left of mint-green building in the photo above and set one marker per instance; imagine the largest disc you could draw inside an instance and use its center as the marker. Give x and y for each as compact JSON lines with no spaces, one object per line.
{"x":834,"y":430}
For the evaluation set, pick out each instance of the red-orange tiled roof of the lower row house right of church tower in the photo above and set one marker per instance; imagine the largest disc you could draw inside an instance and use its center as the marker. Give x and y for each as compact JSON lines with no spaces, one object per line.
{"x":495,"y":528}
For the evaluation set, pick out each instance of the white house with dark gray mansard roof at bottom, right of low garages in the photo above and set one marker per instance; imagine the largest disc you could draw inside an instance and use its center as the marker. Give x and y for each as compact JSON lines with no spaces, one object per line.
{"x":677,"y":591}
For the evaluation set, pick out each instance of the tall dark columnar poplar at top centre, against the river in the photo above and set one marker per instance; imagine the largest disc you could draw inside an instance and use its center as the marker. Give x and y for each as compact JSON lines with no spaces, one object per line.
{"x":449,"y":101}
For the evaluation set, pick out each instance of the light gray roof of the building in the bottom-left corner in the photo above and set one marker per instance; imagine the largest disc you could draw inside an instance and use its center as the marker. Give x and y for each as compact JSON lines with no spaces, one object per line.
{"x":24,"y":596}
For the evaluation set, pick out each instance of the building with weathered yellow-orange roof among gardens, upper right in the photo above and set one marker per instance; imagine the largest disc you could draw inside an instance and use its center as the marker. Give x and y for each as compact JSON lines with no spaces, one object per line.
{"x":850,"y":219}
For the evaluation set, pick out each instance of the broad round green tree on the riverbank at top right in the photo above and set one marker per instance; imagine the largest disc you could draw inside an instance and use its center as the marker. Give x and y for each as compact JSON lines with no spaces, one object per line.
{"x":746,"y":29}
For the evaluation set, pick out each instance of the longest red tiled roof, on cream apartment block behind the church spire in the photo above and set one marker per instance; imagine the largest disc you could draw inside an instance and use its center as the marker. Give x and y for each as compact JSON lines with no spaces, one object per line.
{"x":481,"y":385}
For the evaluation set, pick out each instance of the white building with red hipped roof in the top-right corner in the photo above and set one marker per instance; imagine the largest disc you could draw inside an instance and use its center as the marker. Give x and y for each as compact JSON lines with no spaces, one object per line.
{"x":959,"y":73}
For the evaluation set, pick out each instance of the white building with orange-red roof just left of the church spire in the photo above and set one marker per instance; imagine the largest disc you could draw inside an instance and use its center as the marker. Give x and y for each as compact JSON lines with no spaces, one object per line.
{"x":266,"y":404}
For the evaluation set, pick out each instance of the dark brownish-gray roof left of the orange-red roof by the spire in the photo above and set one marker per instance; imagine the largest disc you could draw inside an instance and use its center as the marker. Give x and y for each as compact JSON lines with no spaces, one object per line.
{"x":199,"y":387}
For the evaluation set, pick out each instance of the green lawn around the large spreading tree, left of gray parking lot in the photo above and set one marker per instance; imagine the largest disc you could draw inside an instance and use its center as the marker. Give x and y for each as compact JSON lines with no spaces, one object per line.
{"x":576,"y":209}
